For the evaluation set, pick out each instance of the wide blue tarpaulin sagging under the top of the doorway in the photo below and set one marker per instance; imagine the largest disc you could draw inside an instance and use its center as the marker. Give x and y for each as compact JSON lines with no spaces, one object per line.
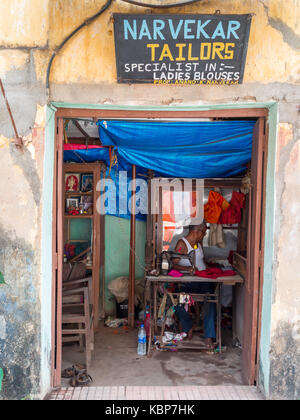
{"x":214,"y":149}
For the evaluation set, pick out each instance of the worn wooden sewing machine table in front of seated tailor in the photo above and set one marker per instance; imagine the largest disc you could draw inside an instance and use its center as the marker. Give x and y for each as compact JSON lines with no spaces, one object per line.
{"x":153,"y":282}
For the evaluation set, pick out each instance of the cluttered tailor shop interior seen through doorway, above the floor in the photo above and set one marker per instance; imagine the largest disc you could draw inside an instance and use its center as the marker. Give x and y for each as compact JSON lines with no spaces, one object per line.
{"x":180,"y":269}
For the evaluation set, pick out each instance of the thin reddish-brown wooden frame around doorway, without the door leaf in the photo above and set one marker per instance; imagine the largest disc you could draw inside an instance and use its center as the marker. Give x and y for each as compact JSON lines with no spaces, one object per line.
{"x":57,"y":246}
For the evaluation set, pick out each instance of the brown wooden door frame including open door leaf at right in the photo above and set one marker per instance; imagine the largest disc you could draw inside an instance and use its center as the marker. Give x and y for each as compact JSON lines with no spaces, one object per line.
{"x":254,"y":257}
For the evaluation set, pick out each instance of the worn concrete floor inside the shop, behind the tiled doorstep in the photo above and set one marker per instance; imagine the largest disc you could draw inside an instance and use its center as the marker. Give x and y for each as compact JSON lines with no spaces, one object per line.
{"x":116,"y":363}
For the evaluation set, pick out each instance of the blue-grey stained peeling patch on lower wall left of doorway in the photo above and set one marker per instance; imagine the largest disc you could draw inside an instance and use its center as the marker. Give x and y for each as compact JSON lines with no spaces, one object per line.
{"x":19,"y":312}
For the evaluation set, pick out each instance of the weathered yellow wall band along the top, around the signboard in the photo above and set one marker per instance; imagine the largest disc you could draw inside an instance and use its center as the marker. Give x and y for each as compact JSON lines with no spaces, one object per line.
{"x":89,"y":56}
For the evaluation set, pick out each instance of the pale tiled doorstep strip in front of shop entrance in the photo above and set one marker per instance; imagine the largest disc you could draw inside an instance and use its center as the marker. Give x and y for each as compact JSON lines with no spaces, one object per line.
{"x":176,"y":393}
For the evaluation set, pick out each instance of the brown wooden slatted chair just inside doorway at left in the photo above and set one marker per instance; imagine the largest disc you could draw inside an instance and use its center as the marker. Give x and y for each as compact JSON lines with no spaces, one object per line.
{"x":77,"y":312}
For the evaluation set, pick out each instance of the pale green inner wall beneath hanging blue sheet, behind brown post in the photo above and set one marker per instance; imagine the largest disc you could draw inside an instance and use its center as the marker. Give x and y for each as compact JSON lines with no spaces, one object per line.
{"x":117,"y":241}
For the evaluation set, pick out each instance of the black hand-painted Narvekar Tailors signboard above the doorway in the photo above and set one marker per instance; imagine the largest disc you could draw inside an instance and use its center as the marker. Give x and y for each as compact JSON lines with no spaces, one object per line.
{"x":181,"y":49}
